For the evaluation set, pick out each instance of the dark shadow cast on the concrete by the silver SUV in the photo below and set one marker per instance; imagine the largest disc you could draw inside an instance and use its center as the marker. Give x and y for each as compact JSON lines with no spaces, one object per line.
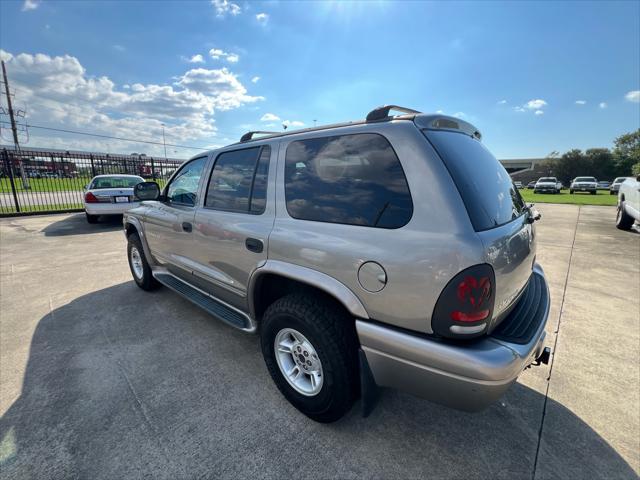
{"x":122,"y":383}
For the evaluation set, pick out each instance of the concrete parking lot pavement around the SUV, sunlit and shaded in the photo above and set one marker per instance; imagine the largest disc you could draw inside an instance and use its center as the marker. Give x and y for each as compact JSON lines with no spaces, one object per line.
{"x":102,"y":380}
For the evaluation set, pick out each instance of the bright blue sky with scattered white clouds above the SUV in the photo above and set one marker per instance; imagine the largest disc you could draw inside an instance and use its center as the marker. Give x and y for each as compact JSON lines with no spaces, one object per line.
{"x":515,"y":70}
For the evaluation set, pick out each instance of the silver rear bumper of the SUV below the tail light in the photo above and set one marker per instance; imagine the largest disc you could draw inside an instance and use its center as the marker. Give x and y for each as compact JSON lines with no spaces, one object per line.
{"x":464,"y":376}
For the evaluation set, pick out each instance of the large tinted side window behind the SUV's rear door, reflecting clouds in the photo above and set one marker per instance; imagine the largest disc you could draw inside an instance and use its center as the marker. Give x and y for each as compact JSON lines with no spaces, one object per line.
{"x":351,"y":179}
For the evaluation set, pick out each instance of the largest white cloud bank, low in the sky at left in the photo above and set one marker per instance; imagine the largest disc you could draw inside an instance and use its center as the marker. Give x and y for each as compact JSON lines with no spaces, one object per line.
{"x":61,"y":93}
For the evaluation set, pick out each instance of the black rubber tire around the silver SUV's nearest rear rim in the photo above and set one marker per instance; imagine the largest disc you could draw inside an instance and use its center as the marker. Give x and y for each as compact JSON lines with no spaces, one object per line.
{"x":331,"y":331}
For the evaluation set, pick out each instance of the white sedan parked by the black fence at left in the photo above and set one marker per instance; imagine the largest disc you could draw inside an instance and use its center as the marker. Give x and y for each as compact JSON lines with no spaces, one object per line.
{"x":110,"y":195}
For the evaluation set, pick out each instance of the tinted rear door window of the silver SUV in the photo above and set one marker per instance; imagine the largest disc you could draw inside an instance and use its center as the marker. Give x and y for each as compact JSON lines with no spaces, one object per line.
{"x":239,"y":180}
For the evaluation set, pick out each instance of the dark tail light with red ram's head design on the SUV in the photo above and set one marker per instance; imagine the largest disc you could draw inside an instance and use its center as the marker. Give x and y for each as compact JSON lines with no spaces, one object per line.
{"x":465,"y":305}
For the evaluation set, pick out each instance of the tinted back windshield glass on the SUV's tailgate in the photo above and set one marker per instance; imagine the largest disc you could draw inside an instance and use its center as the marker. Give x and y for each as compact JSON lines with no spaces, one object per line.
{"x":484,"y":185}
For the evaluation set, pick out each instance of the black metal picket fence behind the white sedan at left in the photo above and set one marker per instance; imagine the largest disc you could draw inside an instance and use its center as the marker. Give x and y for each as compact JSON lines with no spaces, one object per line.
{"x":48,"y":181}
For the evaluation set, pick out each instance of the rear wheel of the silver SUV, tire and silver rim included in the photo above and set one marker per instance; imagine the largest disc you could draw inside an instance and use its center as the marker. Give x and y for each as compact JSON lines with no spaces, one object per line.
{"x":310,"y":348}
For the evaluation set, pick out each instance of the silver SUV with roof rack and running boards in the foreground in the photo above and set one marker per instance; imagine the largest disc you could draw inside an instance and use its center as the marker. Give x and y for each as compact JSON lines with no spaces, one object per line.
{"x":392,"y":252}
